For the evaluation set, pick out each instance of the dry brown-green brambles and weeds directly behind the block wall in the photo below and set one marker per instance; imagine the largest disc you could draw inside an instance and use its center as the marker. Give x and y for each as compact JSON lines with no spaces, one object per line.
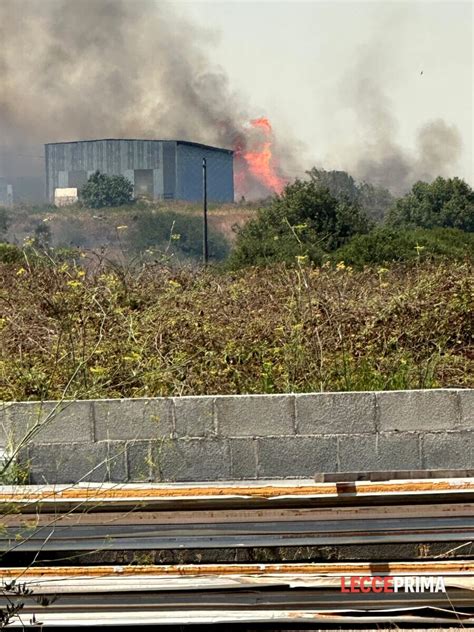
{"x":94,"y":331}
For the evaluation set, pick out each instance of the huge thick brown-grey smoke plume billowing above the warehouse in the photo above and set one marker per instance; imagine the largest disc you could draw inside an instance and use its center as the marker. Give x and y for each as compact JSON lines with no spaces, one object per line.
{"x":86,"y":69}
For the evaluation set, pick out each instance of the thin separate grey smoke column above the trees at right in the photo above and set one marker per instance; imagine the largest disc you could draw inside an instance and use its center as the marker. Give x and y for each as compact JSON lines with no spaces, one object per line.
{"x":378,"y":158}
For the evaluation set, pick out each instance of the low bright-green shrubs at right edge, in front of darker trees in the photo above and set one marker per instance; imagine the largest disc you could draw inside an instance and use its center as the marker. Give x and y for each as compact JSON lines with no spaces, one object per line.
{"x":385,"y":245}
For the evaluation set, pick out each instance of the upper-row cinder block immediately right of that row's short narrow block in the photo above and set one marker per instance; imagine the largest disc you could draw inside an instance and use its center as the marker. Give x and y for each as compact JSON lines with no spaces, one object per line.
{"x":255,"y":415}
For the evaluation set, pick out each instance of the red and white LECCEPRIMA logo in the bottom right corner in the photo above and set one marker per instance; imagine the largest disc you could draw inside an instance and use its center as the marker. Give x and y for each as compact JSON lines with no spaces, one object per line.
{"x":394,"y":584}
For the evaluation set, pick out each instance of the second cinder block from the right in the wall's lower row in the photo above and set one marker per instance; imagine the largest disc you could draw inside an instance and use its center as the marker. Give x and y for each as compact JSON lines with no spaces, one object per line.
{"x":365,"y":453}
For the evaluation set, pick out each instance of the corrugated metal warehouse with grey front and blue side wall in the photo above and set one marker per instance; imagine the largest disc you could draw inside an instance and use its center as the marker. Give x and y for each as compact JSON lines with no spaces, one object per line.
{"x":159,"y":169}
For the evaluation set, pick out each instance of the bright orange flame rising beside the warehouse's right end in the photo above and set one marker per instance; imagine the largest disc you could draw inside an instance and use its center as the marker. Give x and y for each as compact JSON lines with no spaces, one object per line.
{"x":260,"y":160}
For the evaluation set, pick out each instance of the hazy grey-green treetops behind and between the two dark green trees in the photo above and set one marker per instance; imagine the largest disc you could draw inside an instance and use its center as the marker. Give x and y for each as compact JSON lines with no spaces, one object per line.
{"x":374,"y":201}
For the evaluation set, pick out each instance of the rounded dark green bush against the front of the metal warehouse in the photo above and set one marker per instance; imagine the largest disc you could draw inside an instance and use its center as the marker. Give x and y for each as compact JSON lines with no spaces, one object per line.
{"x":104,"y":190}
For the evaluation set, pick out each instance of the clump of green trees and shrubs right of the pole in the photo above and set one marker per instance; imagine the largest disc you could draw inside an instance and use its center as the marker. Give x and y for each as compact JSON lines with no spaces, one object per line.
{"x":330,"y":217}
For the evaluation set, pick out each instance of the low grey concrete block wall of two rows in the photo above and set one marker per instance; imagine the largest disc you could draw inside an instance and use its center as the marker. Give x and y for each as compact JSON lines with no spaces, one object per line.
{"x":240,"y":437}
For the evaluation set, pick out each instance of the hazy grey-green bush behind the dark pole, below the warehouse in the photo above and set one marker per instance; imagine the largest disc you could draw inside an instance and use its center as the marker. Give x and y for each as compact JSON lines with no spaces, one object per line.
{"x":177,"y":234}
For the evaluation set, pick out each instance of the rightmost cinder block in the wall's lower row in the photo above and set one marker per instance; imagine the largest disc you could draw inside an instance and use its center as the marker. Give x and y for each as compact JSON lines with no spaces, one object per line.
{"x":453,"y":450}
